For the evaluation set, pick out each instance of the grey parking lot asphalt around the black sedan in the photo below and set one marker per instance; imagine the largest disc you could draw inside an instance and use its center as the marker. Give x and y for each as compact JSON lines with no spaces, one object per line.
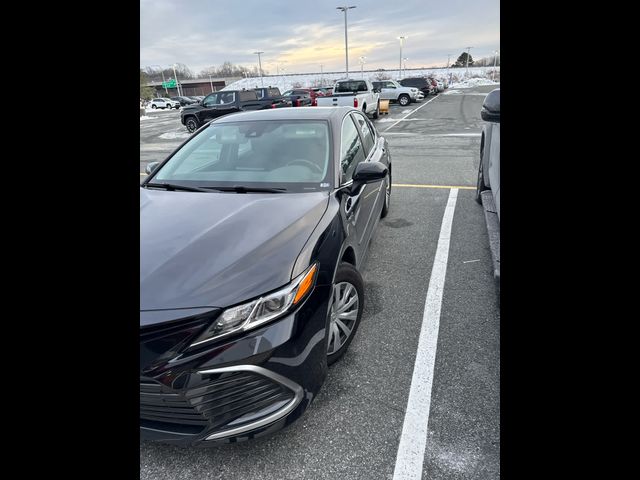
{"x":353,"y":428}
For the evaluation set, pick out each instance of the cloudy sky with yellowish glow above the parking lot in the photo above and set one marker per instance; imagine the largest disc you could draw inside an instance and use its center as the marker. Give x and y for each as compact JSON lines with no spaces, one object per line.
{"x":299,"y":36}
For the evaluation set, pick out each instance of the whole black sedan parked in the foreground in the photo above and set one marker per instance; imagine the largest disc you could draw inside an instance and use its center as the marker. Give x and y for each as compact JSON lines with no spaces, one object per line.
{"x":253,"y":234}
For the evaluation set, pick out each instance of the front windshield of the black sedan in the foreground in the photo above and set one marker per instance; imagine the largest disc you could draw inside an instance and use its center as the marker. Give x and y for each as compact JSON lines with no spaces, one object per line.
{"x":286,"y":154}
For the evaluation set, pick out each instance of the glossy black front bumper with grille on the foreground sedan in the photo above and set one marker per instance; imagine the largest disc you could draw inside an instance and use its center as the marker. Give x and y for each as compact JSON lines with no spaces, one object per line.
{"x":236,"y":388}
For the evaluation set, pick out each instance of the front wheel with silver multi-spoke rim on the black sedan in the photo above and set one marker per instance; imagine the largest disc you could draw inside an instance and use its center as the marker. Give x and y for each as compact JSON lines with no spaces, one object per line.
{"x":345,"y":311}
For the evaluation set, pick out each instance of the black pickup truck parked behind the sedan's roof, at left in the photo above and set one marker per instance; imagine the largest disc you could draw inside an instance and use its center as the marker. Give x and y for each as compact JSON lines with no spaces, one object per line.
{"x":221,"y":103}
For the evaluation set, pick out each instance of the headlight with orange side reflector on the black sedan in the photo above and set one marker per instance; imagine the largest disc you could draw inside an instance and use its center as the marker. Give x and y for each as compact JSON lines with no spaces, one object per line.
{"x":256,"y":312}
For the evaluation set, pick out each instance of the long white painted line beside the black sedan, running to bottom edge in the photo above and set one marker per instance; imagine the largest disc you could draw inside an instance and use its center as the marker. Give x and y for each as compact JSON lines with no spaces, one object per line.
{"x":413,"y":440}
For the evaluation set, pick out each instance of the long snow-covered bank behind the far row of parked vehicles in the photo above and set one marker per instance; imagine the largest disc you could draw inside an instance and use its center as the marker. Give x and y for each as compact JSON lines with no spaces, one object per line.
{"x":456,"y":76}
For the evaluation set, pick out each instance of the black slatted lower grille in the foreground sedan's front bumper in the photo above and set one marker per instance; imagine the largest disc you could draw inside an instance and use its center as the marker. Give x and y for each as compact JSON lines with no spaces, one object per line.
{"x":225,"y":398}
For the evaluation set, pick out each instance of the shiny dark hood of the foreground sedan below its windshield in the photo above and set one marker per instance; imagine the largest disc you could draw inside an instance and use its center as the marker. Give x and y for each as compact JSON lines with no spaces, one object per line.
{"x":219,"y":249}
